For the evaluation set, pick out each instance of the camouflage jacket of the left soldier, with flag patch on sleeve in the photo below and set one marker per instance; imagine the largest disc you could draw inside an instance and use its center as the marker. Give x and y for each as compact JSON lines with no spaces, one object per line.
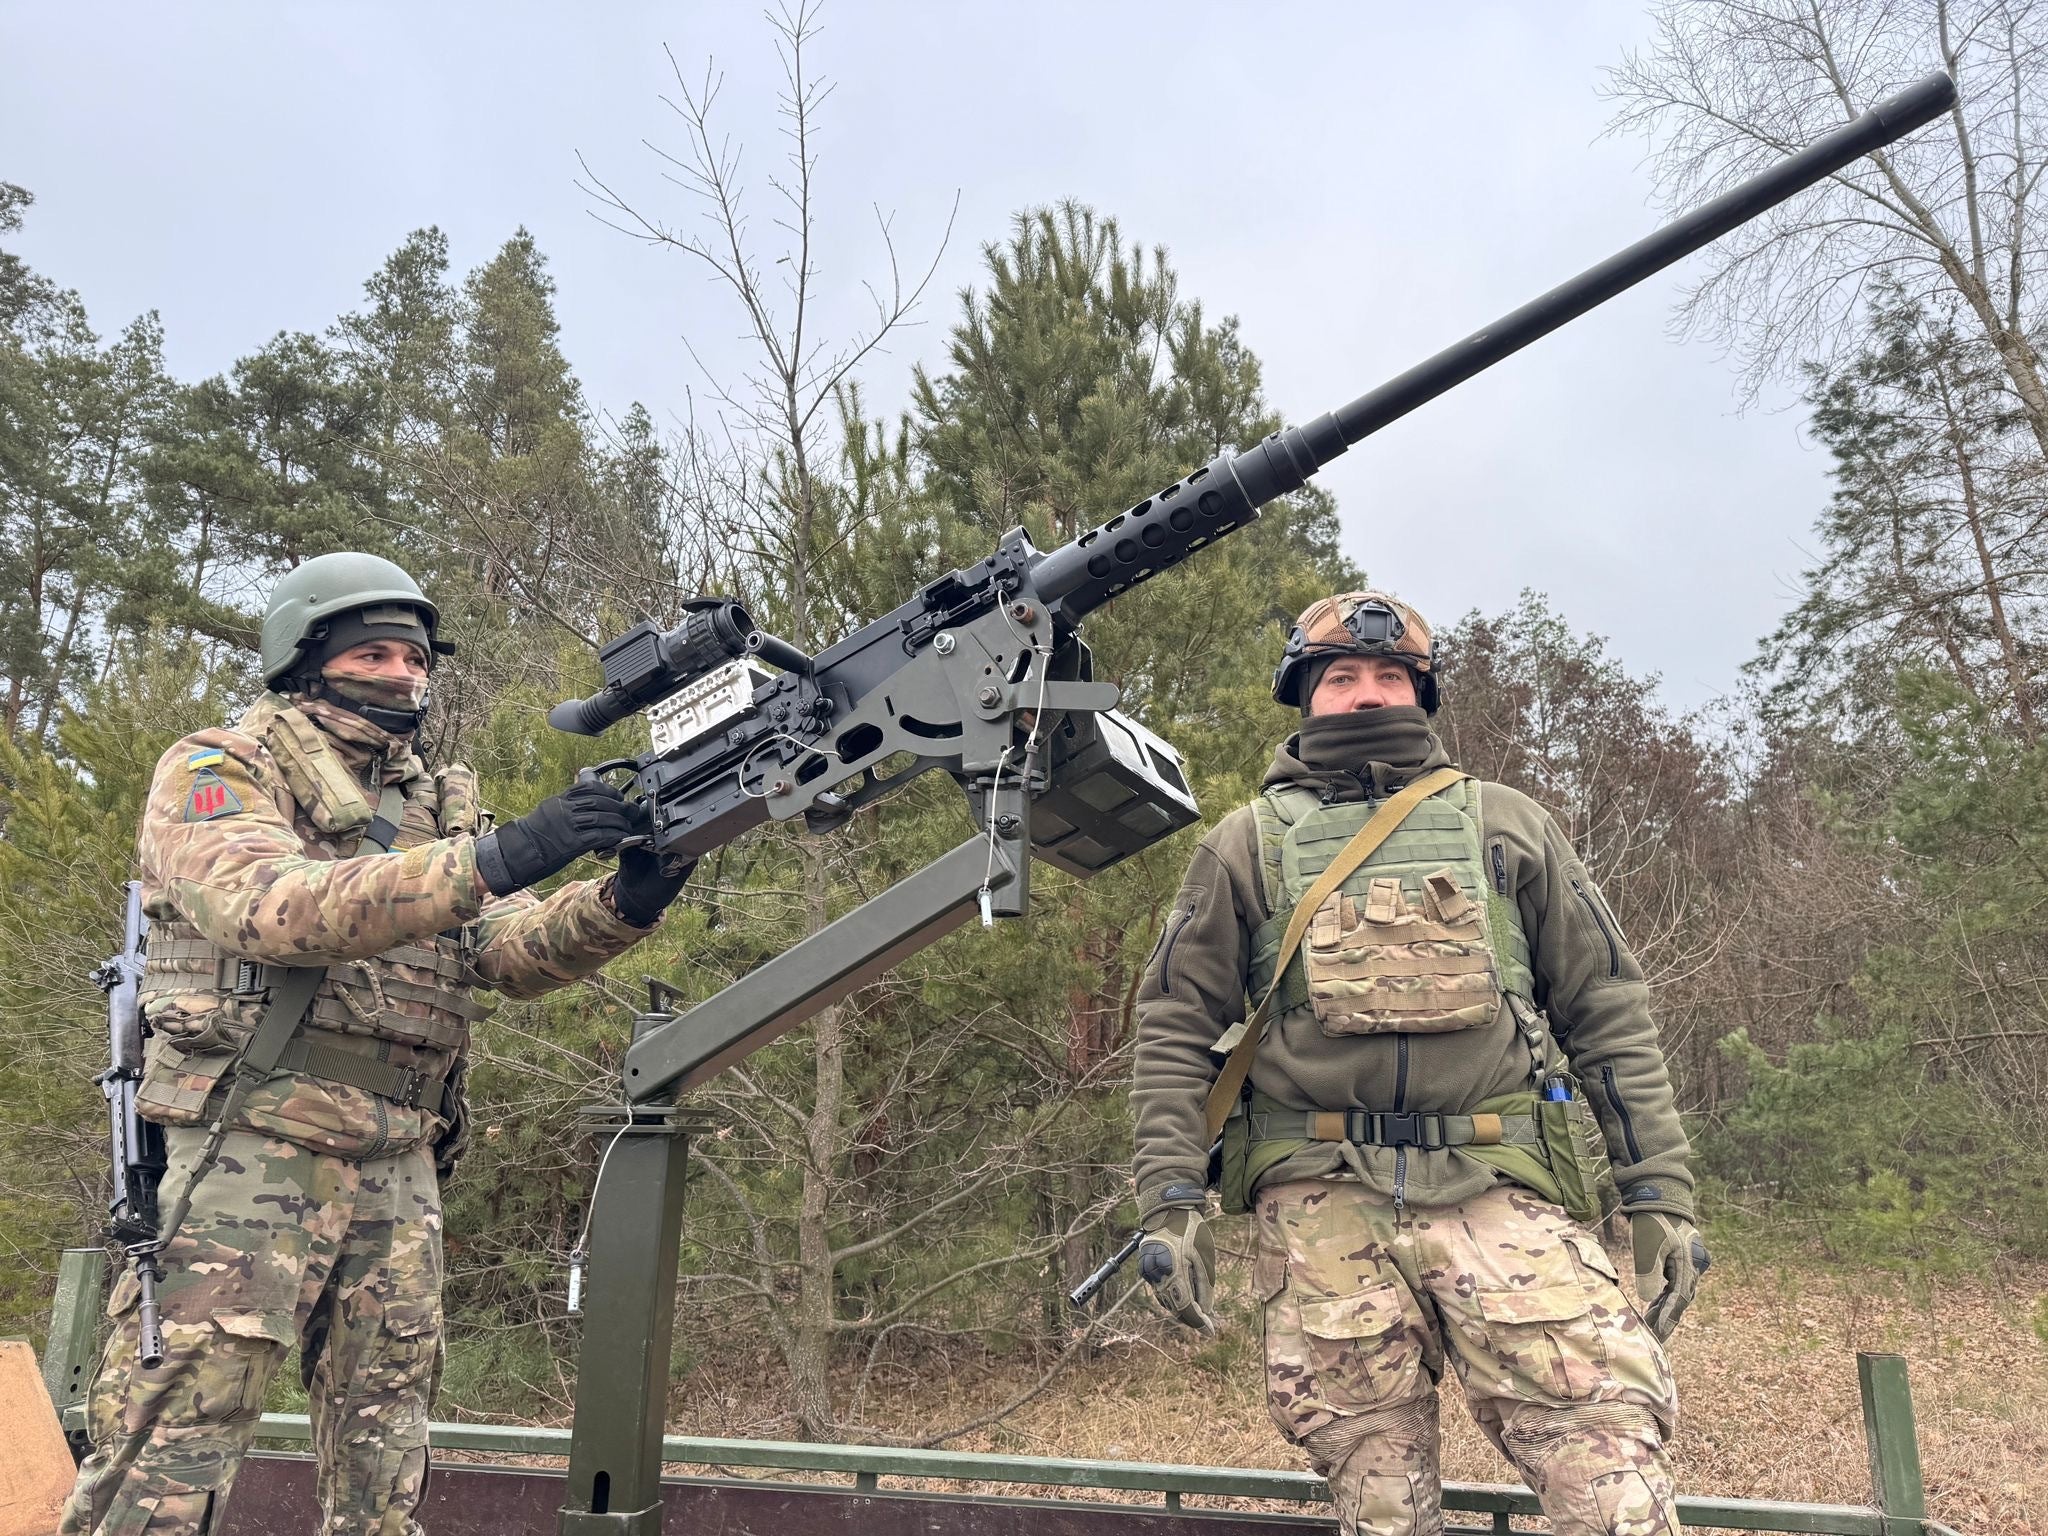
{"x":247,"y":865}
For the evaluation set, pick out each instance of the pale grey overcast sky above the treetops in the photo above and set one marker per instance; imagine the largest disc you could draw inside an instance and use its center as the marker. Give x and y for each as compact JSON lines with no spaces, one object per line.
{"x":1361,"y":185}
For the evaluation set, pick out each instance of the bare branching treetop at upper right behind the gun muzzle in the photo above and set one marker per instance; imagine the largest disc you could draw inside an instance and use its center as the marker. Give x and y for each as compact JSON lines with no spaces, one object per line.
{"x":1951,"y":212}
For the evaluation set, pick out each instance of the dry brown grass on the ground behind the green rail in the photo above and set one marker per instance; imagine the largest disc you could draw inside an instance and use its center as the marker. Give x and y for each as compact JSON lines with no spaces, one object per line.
{"x":1766,"y":1367}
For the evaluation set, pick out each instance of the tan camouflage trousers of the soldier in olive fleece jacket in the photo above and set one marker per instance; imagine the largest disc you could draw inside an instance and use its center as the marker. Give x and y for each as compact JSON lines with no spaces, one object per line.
{"x":1363,"y":1304}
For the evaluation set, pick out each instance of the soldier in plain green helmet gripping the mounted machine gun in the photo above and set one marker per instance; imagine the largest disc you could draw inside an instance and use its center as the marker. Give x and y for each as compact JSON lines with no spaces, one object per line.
{"x":323,"y":898}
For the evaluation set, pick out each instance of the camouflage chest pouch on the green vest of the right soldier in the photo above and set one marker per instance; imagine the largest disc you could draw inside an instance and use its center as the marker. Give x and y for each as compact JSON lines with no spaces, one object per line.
{"x":1402,"y":962}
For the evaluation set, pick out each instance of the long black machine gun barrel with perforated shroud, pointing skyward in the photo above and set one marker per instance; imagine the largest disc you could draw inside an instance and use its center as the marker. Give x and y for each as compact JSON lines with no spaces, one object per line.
{"x":1230,"y":490}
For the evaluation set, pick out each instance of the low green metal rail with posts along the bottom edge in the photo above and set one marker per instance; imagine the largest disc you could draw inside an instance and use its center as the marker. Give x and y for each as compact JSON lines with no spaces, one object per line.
{"x":275,"y":1488}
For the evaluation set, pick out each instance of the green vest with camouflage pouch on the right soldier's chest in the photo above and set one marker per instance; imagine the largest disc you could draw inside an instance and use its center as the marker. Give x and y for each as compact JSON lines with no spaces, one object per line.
{"x":1416,"y":941}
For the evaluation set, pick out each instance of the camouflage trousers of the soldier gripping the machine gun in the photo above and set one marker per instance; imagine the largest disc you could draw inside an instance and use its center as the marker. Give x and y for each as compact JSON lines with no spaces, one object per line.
{"x":282,"y":1246}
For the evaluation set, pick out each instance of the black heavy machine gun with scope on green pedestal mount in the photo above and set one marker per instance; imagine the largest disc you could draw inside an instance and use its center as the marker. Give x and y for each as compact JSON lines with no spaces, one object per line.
{"x":984,"y":677}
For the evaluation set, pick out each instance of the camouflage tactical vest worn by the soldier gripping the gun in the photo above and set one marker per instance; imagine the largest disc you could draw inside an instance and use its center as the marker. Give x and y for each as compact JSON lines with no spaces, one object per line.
{"x":409,"y":1009}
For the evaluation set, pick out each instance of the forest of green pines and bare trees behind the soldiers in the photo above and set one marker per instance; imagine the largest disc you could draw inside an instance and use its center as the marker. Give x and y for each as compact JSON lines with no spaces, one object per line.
{"x":1836,"y":878}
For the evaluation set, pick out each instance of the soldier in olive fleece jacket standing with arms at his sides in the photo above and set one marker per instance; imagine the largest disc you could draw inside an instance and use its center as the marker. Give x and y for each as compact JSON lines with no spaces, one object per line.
{"x":1455,"y":1062}
